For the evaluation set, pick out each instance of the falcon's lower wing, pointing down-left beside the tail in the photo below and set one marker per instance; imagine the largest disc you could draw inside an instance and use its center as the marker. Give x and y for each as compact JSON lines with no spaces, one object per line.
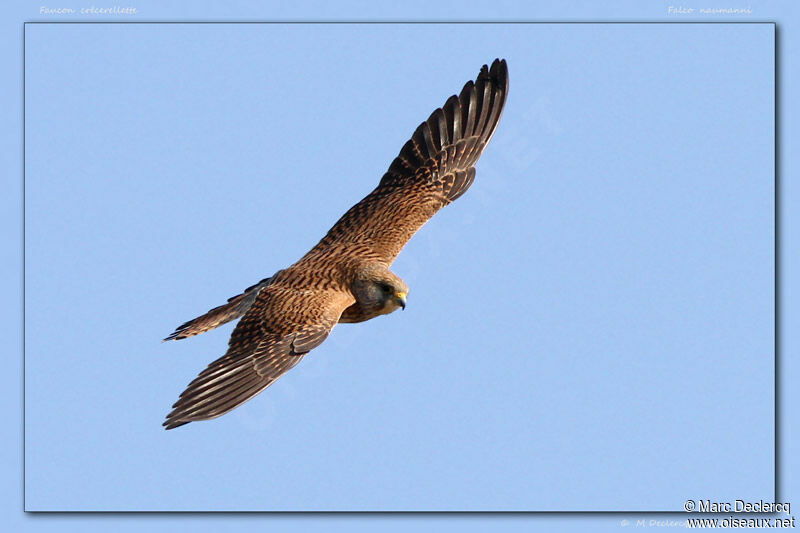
{"x":281,"y":326}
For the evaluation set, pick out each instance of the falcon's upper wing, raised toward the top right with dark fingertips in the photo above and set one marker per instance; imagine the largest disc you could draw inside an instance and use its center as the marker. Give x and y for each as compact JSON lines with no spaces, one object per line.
{"x":434,"y":168}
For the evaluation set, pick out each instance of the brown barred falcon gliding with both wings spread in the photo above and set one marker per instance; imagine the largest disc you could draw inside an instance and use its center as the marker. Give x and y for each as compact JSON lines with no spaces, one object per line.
{"x":345,"y":278}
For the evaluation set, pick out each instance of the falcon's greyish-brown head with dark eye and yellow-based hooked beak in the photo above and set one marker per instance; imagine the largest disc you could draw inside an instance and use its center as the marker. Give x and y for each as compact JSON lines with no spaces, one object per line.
{"x":378,"y":291}
